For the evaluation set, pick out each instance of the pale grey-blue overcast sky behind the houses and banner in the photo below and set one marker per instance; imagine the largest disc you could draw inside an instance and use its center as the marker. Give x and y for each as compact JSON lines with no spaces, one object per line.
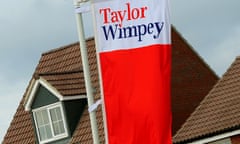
{"x":31,"y":27}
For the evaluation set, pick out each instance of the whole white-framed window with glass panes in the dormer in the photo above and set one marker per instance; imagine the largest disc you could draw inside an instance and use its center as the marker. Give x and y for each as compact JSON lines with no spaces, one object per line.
{"x":50,"y":123}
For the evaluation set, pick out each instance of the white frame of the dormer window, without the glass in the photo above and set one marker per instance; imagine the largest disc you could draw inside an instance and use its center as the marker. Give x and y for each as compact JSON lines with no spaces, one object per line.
{"x":55,"y":137}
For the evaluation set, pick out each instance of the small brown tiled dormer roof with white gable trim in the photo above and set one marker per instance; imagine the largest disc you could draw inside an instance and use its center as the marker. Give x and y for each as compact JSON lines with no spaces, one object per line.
{"x":63,"y":86}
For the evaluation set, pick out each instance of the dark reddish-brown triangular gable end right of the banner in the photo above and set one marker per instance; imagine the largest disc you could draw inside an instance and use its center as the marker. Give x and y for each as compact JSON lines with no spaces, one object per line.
{"x":192,"y":79}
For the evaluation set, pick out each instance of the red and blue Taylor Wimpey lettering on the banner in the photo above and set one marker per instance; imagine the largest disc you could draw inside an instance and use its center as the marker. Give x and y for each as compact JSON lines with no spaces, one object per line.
{"x":113,"y":27}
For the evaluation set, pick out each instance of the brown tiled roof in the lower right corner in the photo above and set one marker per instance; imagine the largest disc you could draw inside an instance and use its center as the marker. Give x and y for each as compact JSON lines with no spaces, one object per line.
{"x":218,"y":113}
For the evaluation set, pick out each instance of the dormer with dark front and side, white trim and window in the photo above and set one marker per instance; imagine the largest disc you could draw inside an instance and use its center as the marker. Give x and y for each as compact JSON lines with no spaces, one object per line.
{"x":55,"y":116}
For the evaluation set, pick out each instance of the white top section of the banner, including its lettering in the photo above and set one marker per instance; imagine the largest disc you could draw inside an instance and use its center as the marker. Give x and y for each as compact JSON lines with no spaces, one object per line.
{"x":129,"y":24}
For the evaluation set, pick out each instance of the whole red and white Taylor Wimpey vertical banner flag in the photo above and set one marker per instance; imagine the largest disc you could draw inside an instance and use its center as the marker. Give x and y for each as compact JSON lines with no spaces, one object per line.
{"x":134,"y":48}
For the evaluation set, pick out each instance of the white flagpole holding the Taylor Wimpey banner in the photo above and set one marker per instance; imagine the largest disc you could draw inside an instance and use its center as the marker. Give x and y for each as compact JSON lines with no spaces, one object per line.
{"x":86,"y":72}
